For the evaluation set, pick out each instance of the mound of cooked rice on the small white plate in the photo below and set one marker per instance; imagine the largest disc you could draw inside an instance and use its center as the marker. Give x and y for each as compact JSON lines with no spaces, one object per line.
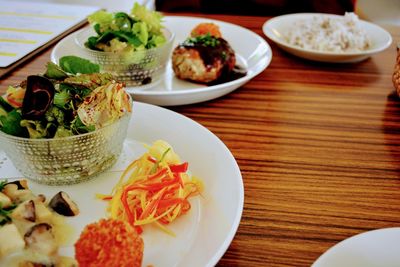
{"x":329,"y":34}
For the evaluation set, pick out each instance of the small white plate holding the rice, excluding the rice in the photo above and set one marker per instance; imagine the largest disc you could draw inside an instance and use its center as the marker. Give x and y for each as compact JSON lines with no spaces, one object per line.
{"x":276,"y":28}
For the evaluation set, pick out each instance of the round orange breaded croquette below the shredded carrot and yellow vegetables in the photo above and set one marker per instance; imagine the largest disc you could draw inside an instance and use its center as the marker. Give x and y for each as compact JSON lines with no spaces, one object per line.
{"x":109,"y":242}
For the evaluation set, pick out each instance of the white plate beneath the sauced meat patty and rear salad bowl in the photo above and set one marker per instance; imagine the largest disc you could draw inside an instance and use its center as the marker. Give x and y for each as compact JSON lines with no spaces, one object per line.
{"x":252,"y":52}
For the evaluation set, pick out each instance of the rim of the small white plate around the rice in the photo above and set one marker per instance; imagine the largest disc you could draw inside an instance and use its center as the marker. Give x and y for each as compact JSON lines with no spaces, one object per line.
{"x":267,"y":30}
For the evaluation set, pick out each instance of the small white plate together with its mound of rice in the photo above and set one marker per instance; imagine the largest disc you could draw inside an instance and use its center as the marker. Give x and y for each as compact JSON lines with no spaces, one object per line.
{"x":327,"y":37}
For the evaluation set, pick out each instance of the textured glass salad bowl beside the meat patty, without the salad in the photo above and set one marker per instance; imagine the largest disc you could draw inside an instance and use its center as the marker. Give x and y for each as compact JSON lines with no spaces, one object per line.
{"x":135,"y":69}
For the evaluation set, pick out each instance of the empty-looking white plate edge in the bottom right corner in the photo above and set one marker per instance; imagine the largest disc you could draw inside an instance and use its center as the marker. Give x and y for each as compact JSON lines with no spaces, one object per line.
{"x":376,"y":248}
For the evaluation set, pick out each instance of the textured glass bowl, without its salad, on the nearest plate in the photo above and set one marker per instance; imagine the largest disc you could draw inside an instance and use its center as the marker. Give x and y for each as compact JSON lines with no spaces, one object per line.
{"x":67,"y":160}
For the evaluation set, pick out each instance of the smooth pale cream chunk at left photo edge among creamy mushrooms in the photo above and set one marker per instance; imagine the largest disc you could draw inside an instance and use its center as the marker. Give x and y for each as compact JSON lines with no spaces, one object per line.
{"x":11,"y":240}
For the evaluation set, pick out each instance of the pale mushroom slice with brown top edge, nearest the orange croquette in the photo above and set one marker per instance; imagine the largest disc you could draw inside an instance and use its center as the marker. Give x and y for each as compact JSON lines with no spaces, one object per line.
{"x":40,"y":239}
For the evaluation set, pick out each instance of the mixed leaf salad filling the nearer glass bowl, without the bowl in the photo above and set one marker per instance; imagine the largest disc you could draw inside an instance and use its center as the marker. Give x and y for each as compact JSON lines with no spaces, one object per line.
{"x":69,"y":99}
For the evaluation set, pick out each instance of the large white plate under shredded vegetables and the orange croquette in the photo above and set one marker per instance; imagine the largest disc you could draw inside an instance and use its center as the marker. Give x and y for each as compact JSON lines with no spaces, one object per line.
{"x":202,"y":235}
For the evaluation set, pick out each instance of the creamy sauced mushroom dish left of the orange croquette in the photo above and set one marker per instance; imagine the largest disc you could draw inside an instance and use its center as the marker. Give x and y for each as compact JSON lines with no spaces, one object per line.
{"x":33,"y":230}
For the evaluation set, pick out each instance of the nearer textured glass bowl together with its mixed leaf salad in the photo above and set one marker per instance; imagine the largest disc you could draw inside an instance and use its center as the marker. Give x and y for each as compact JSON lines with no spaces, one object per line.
{"x":70,"y":122}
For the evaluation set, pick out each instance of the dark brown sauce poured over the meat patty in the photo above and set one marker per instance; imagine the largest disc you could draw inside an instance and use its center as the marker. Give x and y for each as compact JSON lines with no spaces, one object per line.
{"x":220,"y":51}
